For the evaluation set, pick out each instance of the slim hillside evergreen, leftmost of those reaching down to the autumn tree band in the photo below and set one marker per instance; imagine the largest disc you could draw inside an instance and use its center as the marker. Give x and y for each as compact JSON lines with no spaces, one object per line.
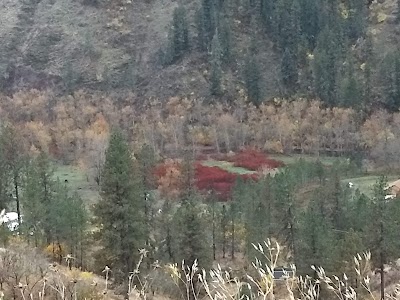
{"x":216,"y":71}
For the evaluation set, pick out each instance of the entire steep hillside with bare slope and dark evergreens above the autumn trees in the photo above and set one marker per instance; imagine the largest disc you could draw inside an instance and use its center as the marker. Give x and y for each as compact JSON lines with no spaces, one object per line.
{"x":341,"y":52}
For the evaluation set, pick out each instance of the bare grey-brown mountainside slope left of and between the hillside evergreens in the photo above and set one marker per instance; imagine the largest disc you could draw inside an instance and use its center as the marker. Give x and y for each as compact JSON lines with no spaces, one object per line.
{"x":112,"y":44}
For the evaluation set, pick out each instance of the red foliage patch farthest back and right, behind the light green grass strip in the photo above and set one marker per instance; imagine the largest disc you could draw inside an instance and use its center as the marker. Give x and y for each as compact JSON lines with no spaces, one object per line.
{"x":254,"y":160}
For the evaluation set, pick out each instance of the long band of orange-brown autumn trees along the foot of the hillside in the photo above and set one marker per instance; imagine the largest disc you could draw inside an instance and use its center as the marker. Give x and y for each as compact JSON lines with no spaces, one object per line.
{"x":76,"y":128}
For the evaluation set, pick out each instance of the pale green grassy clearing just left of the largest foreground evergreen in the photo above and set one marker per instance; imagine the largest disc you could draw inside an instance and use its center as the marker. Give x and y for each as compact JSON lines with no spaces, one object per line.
{"x":78,"y":182}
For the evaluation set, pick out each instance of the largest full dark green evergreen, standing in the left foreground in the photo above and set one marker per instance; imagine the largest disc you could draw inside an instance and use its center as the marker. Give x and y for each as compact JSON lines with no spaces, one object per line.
{"x":121,"y":211}
